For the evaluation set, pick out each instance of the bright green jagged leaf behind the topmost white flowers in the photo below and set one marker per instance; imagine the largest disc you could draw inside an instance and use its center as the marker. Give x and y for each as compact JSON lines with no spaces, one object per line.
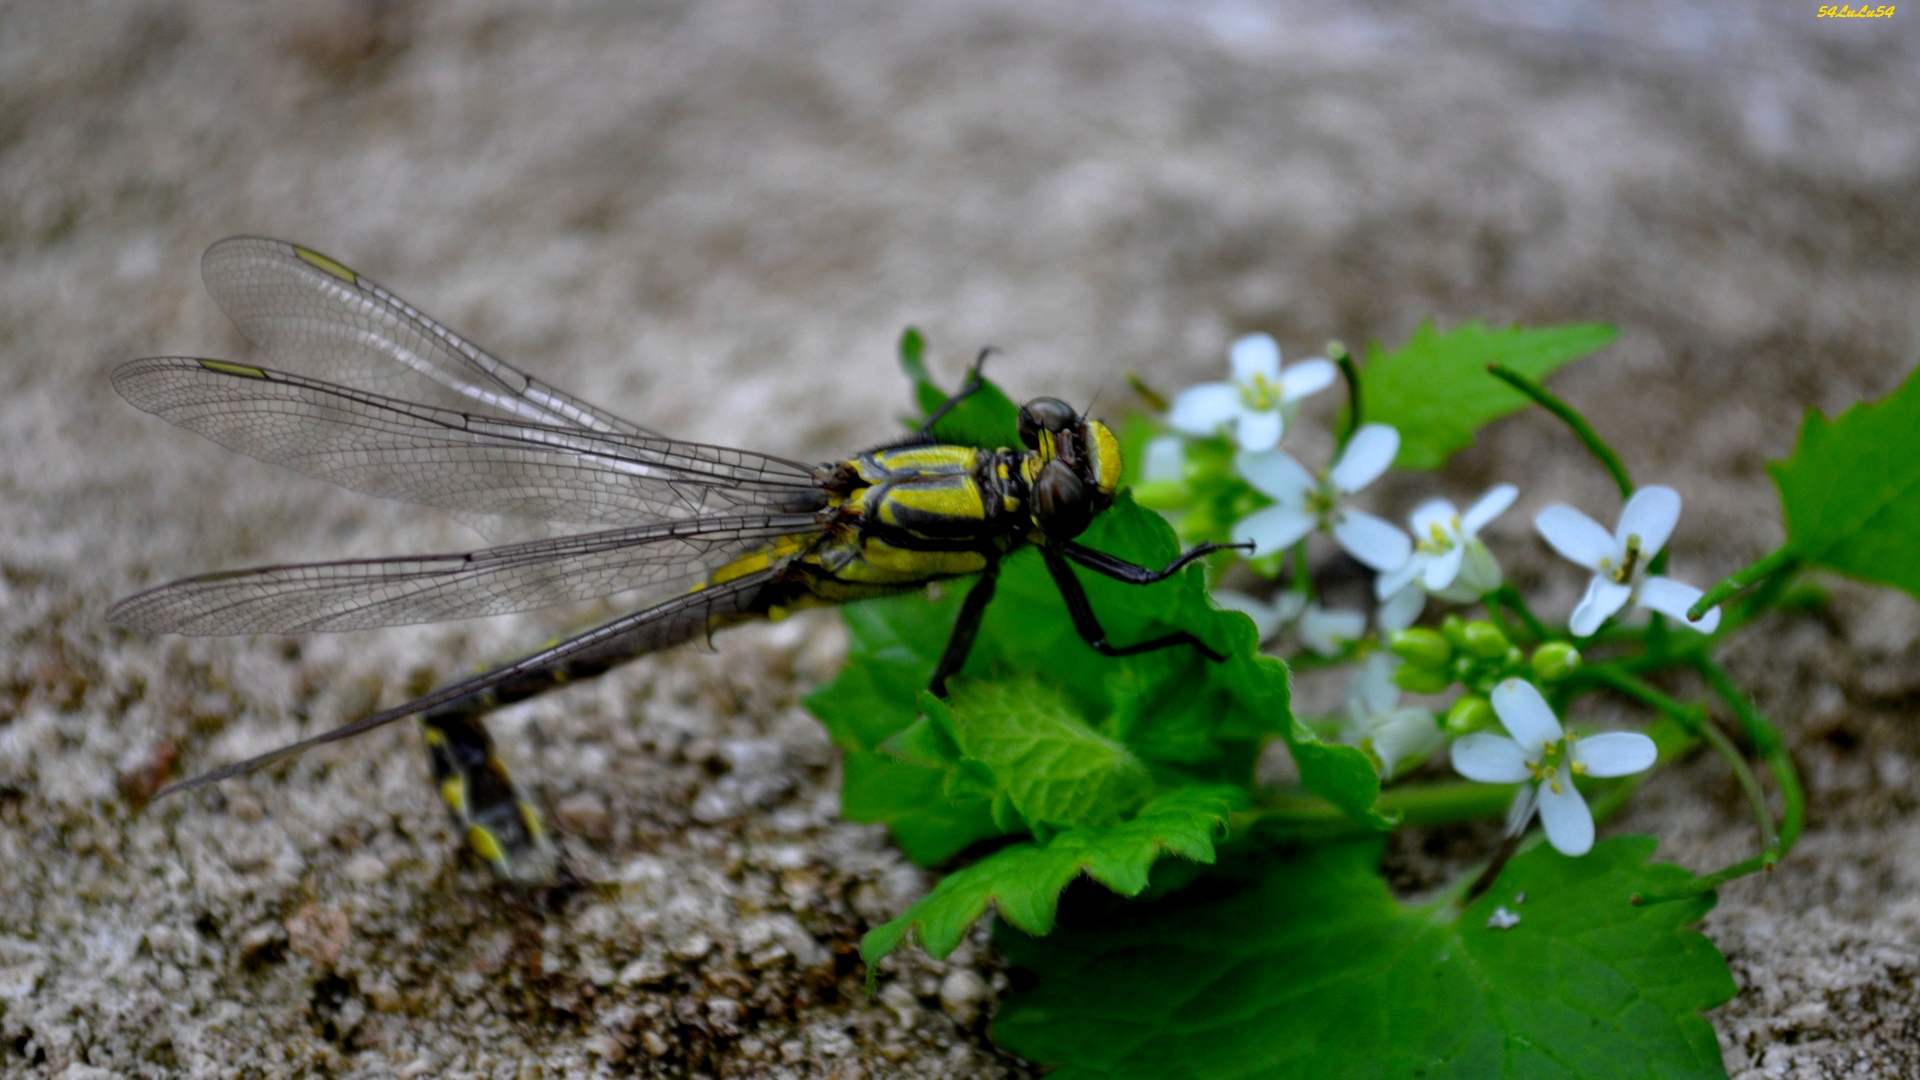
{"x":1437,"y":391}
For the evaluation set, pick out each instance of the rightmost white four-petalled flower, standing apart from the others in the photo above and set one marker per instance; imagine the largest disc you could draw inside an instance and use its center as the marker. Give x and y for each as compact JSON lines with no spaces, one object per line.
{"x":1620,"y":560}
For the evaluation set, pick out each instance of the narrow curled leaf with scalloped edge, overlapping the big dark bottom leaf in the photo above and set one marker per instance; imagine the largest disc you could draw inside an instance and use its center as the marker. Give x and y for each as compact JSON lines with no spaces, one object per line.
{"x":1024,"y":881}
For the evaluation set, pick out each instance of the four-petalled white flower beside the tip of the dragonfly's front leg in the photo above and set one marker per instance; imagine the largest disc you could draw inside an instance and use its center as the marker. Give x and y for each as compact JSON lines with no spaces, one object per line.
{"x":1301,"y":503}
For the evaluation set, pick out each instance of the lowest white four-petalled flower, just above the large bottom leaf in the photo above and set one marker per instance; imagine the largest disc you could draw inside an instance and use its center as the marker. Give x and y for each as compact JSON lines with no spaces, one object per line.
{"x":1547,"y":760}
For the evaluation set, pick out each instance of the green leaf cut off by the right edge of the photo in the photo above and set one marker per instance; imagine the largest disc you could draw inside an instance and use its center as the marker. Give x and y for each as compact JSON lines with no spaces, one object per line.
{"x":1852,"y":489}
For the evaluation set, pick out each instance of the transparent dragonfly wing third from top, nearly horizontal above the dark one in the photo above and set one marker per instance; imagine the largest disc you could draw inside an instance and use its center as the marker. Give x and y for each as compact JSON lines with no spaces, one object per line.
{"x":660,"y":560}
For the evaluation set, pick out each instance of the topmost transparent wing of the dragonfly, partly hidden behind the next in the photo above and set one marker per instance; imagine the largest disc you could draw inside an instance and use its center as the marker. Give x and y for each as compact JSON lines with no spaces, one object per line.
{"x":320,"y":318}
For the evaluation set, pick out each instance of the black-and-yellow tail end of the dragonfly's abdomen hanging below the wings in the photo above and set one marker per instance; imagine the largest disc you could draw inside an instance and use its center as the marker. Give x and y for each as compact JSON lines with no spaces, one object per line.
{"x":492,"y":816}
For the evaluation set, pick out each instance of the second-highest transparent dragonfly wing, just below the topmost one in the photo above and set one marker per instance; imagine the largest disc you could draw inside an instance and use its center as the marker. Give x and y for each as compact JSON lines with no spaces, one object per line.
{"x":460,"y":462}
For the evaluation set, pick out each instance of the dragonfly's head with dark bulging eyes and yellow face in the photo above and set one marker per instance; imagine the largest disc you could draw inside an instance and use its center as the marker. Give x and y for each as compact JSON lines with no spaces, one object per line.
{"x":1076,"y":466}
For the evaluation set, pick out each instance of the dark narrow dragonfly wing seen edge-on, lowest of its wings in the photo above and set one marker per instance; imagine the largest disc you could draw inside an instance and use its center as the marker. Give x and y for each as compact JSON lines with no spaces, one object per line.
{"x":658,"y":627}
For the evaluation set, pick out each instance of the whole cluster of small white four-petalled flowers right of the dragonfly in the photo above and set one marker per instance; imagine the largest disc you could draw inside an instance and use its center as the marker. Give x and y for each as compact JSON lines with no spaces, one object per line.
{"x":1443,"y":558}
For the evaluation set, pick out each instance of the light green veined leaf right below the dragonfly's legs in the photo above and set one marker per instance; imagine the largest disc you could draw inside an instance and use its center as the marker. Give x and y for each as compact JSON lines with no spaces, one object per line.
{"x":1053,"y":768}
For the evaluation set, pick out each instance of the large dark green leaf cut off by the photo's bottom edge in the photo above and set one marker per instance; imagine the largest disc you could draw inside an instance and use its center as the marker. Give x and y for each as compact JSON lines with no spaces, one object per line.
{"x":1308,"y":968}
